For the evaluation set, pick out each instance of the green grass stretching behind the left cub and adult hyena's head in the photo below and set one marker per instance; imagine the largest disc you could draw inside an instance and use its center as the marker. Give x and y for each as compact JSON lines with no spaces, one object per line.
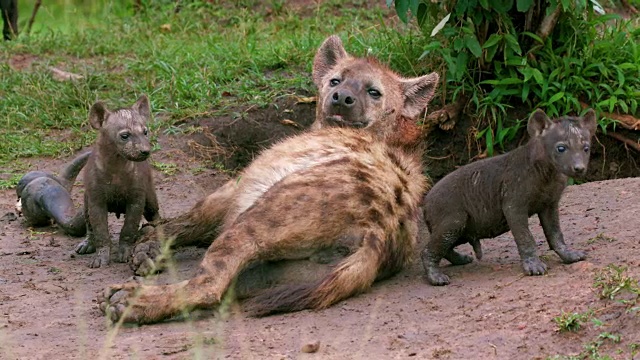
{"x":208,"y":58}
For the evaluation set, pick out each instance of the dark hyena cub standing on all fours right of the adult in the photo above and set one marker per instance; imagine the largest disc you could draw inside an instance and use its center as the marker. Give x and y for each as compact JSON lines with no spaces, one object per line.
{"x":488,"y":197}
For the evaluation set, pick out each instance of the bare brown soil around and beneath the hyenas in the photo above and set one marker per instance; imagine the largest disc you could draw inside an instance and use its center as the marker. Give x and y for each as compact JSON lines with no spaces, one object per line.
{"x":490,"y":311}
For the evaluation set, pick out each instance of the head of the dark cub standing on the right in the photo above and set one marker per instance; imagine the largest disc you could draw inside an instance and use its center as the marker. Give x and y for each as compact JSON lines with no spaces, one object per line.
{"x":566,"y":141}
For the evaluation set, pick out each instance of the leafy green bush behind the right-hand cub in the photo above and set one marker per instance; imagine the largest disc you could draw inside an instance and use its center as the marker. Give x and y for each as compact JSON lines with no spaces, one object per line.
{"x":529,"y":53}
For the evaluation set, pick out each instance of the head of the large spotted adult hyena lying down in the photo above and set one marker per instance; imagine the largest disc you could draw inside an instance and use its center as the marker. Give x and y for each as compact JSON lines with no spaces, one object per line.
{"x":362,"y":93}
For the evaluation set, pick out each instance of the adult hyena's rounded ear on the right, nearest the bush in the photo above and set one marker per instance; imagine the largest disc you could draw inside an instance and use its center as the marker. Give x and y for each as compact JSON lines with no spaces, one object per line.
{"x":417,"y":93}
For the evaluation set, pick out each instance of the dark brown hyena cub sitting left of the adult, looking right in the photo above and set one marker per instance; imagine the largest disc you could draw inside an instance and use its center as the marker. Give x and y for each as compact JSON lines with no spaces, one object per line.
{"x":118,"y":179}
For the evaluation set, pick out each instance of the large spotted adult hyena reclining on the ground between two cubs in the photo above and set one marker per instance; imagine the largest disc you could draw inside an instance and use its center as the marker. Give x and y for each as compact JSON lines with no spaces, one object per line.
{"x":352,"y":190}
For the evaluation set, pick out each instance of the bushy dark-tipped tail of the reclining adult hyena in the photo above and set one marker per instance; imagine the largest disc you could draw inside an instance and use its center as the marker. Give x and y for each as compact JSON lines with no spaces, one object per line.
{"x":351,"y":276}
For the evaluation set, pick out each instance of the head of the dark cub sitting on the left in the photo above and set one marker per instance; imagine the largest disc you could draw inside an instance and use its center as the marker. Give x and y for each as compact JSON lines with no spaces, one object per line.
{"x":124,"y":130}
